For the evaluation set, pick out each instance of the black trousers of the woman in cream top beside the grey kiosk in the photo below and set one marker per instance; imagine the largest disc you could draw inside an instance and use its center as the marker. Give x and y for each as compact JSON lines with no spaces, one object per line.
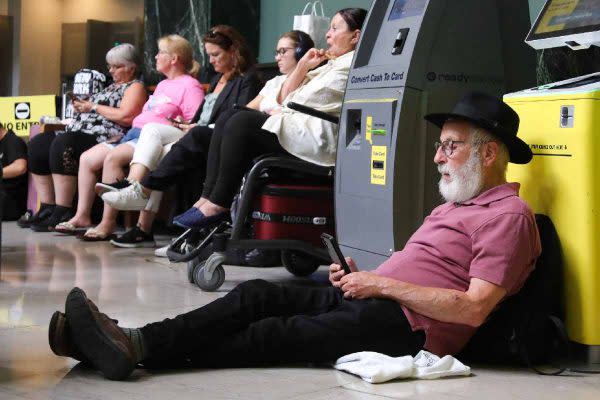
{"x":232,"y":149}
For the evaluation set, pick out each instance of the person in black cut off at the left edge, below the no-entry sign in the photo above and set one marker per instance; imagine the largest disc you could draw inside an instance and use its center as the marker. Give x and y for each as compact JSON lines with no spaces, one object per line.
{"x":13,"y":156}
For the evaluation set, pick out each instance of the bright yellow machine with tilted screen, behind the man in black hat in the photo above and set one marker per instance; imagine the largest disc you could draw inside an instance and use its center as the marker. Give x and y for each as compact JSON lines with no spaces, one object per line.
{"x":561,"y":123}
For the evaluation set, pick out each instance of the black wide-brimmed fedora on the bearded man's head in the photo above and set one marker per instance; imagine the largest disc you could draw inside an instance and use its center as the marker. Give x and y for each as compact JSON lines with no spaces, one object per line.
{"x":492,"y":114}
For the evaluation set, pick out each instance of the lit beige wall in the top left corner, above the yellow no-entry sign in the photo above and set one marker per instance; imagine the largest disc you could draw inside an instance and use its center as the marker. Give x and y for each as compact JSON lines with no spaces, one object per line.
{"x":40,"y":35}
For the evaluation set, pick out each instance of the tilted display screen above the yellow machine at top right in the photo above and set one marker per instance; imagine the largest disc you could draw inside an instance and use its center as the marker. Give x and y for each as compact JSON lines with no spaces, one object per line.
{"x":566,"y":17}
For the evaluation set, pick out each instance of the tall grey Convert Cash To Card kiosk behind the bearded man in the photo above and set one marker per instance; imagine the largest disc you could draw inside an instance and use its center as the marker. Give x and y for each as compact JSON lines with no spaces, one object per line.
{"x":415,"y":57}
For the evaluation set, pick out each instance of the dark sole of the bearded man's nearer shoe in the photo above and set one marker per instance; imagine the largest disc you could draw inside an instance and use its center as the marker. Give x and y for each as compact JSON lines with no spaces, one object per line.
{"x":92,"y":341}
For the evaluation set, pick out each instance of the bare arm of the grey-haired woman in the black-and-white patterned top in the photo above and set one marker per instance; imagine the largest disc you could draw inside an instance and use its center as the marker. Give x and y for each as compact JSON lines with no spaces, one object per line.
{"x":131,"y":105}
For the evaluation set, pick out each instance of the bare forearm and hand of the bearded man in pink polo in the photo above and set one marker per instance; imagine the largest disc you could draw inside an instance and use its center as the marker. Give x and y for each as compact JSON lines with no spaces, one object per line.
{"x":470,"y":308}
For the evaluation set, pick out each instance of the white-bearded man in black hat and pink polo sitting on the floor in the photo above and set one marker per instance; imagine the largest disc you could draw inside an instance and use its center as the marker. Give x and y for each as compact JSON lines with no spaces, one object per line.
{"x":471,"y":253}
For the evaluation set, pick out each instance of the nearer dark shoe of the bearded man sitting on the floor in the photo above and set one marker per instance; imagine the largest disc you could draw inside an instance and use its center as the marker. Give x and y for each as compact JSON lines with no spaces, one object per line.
{"x":99,"y":338}
